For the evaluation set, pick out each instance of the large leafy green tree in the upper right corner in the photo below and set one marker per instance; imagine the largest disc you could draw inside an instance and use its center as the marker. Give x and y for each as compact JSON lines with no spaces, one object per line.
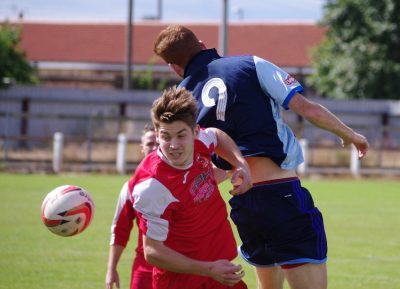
{"x":360,"y":56}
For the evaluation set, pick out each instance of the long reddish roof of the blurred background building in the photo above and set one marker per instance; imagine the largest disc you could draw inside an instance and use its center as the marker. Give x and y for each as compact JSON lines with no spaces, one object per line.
{"x":285,"y":44}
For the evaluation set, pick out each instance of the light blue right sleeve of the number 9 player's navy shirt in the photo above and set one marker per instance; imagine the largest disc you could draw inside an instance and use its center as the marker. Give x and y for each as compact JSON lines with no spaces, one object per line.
{"x":276,"y":82}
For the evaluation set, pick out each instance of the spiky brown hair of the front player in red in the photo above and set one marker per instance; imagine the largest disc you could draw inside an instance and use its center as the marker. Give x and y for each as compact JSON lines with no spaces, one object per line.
{"x":175,"y":104}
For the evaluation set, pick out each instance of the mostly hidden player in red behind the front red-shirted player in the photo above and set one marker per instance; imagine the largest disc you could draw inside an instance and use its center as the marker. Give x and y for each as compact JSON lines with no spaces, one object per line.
{"x":141,"y":277}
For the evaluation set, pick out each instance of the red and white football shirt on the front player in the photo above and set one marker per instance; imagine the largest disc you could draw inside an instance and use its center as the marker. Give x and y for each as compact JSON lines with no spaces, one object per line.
{"x":184,"y":209}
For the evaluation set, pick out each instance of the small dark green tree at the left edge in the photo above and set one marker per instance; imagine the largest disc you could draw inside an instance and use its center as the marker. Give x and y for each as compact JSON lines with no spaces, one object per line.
{"x":13,"y":64}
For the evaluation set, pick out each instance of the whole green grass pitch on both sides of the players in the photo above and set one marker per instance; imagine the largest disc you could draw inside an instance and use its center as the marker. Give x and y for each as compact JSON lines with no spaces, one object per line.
{"x":361,"y":216}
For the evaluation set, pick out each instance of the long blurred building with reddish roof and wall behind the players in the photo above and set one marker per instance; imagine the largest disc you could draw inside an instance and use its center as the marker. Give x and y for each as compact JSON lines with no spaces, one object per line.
{"x":94,"y":55}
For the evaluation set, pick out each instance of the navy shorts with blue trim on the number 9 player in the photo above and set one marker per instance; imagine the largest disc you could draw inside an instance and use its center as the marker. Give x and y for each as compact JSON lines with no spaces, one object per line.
{"x":279,"y":224}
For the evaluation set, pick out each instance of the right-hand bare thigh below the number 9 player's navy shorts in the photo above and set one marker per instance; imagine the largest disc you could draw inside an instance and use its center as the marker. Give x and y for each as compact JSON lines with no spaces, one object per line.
{"x":307,"y":276}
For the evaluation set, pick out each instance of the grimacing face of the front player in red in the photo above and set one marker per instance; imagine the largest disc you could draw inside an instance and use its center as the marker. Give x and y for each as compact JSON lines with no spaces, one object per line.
{"x":176,"y":141}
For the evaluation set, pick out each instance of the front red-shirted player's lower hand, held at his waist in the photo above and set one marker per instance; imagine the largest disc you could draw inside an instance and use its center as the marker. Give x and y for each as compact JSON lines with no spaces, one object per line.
{"x":226,"y":272}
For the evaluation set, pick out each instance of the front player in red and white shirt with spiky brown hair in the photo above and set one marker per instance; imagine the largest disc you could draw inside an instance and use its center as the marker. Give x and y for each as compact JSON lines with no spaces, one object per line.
{"x":187,"y":235}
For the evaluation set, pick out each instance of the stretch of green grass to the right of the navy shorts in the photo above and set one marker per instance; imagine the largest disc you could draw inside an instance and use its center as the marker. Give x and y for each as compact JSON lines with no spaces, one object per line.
{"x":363,"y":229}
